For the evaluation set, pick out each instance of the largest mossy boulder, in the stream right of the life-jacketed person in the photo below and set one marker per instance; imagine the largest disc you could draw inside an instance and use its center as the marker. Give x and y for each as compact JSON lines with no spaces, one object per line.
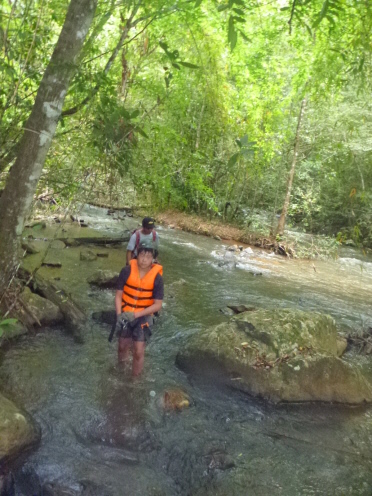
{"x":281,"y":355}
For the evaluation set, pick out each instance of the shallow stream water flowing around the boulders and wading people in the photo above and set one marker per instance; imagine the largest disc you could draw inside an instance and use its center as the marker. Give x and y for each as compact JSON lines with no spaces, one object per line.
{"x":104,"y":434}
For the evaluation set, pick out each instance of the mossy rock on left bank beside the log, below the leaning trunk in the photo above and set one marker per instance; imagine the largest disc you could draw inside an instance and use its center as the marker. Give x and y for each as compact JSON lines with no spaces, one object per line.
{"x":40,"y":309}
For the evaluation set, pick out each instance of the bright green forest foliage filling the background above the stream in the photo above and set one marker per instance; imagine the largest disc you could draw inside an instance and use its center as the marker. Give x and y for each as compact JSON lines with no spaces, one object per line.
{"x":167,"y":115}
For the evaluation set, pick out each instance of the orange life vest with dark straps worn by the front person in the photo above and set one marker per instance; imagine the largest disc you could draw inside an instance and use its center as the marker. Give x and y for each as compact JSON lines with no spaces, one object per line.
{"x":137,"y":292}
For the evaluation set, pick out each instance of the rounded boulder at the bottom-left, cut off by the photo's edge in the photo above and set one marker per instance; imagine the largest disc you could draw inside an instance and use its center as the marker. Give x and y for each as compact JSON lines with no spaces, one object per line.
{"x":17,"y":431}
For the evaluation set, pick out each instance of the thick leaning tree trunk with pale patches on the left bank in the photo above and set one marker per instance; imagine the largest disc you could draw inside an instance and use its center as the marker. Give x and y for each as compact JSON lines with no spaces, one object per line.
{"x":17,"y":196}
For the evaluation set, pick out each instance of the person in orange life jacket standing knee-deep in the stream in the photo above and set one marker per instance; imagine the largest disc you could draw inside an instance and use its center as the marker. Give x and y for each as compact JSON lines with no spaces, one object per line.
{"x":139,"y":294}
